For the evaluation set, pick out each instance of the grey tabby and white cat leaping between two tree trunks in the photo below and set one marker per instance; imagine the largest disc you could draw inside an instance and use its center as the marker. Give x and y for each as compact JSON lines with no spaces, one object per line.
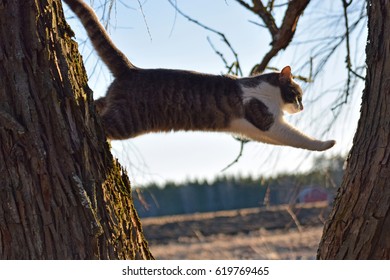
{"x":142,"y":101}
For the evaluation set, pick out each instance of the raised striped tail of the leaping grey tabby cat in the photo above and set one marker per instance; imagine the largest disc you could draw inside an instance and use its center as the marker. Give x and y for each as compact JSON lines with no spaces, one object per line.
{"x":115,"y":60}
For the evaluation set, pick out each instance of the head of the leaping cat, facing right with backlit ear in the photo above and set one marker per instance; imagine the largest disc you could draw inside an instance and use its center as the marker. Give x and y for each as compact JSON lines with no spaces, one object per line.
{"x":291,"y":92}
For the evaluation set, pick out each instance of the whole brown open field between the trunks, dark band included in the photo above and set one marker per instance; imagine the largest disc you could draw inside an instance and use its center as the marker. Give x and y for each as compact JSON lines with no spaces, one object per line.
{"x":274,"y":233}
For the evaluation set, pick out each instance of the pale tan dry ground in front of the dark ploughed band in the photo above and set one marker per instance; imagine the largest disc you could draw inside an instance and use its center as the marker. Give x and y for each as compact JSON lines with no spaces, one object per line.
{"x":266,"y":245}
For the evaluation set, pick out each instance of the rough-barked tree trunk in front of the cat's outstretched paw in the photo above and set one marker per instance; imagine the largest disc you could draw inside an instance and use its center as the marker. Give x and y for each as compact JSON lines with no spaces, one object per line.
{"x":359,"y":225}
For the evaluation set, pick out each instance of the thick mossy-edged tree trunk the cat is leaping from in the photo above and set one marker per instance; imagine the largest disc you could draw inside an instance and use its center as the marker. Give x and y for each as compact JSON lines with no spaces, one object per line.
{"x":62,"y":195}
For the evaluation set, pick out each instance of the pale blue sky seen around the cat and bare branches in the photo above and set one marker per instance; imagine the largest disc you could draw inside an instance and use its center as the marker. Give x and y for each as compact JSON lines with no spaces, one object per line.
{"x":158,"y":37}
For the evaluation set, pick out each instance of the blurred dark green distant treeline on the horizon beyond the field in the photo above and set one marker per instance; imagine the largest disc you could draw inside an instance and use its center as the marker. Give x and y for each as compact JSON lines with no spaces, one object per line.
{"x":227,"y":193}
